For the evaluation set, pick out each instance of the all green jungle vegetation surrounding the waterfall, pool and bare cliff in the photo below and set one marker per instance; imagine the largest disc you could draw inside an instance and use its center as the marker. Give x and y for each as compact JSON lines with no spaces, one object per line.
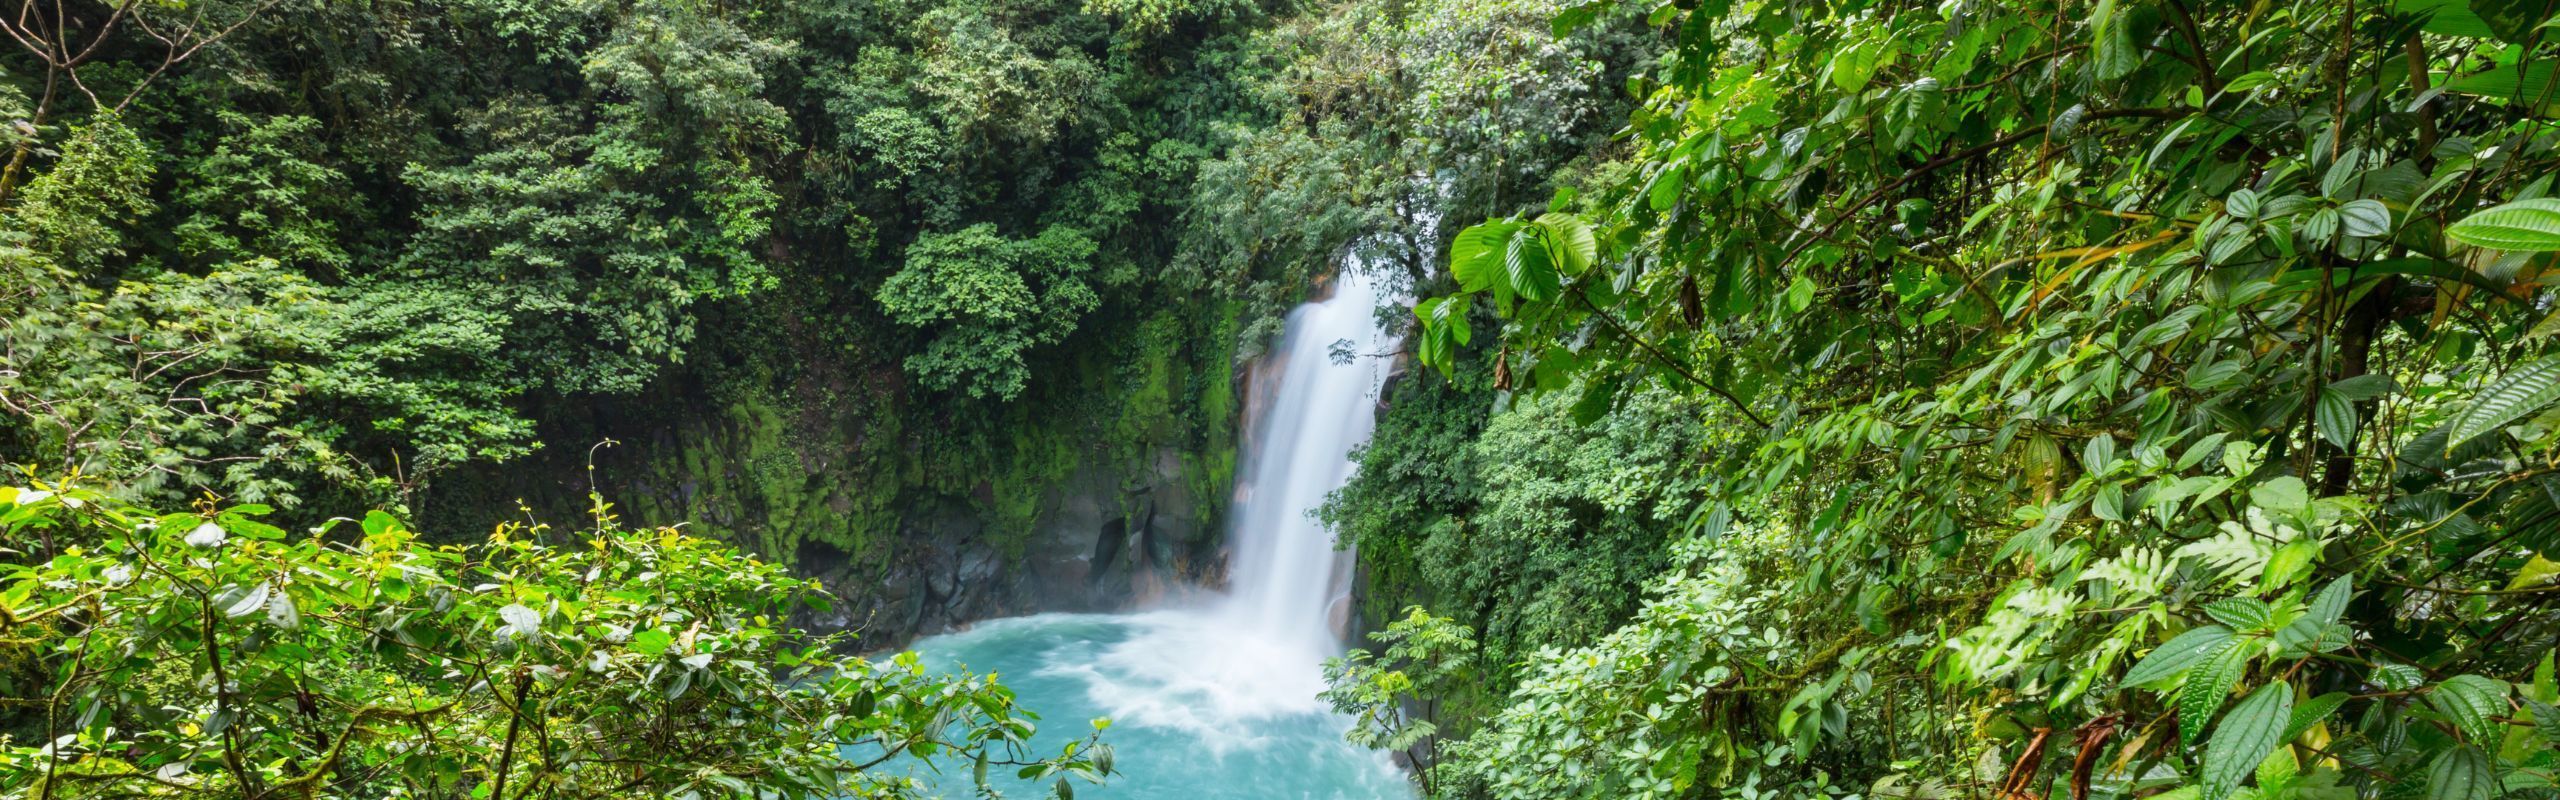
{"x":1809,"y":399}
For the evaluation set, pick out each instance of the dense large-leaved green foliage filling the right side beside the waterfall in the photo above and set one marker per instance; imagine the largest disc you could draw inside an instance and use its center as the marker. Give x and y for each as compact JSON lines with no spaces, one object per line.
{"x":2124,"y":399}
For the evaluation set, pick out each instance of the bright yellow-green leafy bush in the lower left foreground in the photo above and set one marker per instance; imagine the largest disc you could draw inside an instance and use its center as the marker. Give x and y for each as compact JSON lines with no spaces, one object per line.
{"x":211,"y":655}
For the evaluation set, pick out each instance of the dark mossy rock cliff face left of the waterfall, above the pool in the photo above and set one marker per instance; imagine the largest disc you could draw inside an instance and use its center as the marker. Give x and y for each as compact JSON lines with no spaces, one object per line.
{"x":915,"y":522}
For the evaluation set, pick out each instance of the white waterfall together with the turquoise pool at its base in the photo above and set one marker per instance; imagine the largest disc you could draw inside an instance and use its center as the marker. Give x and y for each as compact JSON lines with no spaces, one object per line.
{"x":1220,"y":701}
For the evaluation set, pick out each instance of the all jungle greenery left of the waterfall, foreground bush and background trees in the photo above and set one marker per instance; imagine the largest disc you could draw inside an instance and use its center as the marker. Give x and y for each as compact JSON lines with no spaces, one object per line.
{"x":285,"y":278}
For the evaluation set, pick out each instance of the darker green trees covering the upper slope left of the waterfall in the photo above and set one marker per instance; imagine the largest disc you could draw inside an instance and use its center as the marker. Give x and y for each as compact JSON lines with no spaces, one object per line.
{"x":319,"y":253}
